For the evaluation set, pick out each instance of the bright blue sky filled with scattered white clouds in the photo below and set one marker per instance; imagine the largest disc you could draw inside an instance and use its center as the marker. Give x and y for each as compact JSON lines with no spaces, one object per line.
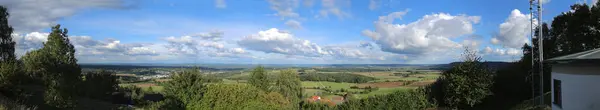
{"x":281,"y":31}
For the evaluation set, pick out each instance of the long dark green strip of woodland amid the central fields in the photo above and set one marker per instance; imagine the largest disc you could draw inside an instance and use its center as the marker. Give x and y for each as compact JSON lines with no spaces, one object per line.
{"x":335,"y":77}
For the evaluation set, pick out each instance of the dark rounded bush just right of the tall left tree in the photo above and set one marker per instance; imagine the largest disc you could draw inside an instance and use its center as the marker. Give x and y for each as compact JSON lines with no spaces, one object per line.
{"x":99,"y":84}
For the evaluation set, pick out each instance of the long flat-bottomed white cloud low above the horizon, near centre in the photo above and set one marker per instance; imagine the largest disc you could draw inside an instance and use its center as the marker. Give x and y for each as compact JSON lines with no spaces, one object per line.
{"x":279,"y":42}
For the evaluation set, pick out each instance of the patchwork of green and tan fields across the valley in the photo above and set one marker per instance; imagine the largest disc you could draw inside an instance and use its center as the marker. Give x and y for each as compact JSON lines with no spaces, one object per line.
{"x":330,"y":83}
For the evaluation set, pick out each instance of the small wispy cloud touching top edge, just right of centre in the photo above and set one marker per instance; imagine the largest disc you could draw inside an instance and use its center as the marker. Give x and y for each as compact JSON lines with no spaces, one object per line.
{"x":333,"y":7}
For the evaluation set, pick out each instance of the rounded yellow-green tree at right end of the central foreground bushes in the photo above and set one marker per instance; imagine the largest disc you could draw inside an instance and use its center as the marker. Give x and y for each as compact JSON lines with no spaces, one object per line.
{"x":288,"y":84}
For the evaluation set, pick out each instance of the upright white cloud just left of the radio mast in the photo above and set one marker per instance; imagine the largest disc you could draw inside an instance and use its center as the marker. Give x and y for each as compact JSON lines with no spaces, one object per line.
{"x":514,"y":31}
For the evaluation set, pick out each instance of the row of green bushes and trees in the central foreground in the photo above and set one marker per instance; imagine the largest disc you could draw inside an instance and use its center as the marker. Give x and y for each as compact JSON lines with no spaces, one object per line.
{"x":191,"y":90}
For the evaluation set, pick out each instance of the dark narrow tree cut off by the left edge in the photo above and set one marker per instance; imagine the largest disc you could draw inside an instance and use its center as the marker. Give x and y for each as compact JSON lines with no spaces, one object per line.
{"x":7,"y":45}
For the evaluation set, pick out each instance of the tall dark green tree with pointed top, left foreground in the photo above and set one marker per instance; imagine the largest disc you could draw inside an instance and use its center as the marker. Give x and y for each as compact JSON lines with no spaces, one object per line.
{"x":56,"y":66}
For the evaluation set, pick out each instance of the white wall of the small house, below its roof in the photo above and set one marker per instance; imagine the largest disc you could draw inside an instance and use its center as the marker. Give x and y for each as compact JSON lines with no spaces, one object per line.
{"x":579,"y":91}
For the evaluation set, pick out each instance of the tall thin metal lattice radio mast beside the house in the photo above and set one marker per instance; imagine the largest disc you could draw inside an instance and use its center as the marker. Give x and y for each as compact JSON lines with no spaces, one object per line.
{"x":535,"y":9}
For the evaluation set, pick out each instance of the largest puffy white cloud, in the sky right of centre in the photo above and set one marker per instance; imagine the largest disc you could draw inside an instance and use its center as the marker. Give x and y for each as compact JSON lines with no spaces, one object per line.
{"x":432,"y":33}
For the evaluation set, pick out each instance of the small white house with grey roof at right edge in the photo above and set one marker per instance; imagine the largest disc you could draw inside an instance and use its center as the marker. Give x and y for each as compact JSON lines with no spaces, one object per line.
{"x":576,"y":81}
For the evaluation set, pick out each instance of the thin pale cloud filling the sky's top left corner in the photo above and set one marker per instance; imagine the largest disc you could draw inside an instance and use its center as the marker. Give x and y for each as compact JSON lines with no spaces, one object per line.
{"x":34,"y":15}
